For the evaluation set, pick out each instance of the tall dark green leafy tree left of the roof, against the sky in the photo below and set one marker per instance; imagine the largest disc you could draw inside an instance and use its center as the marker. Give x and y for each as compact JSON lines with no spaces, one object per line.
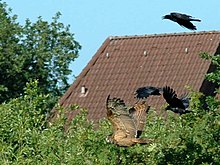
{"x":39,"y":50}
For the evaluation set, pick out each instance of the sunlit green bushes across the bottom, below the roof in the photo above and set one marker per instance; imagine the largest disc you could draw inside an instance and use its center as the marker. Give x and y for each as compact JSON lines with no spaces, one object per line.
{"x":27,"y":138}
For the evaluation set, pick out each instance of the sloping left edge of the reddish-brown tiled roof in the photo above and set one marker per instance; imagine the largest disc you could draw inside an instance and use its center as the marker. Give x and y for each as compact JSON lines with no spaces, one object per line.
{"x":84,"y":71}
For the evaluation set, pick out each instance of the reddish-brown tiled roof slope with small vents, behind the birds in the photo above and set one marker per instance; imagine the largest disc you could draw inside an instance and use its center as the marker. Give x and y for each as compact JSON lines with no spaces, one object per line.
{"x":122,"y":64}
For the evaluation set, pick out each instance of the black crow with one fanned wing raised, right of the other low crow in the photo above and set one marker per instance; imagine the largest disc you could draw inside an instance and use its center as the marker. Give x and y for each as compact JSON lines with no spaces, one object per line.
{"x":177,"y":105}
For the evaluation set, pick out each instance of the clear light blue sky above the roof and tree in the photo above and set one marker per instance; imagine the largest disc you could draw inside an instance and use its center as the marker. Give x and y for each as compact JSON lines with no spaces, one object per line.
{"x":93,"y":21}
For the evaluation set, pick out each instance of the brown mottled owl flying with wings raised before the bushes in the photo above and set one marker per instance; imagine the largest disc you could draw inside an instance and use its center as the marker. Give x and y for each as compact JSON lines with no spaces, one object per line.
{"x":128,"y":123}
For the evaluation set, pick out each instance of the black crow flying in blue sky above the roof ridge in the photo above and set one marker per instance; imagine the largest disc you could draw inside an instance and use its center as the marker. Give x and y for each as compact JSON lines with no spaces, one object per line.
{"x":182,"y":20}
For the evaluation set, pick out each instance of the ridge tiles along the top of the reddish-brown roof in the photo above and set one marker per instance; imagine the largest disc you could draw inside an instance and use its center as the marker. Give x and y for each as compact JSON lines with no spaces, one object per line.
{"x":163,"y":34}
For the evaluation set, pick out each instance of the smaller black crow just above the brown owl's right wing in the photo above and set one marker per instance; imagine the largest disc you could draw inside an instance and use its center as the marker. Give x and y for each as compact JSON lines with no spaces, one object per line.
{"x":144,"y":92}
